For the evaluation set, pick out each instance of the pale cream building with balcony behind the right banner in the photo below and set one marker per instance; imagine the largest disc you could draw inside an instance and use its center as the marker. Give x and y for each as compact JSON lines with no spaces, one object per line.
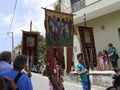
{"x":102,"y":15}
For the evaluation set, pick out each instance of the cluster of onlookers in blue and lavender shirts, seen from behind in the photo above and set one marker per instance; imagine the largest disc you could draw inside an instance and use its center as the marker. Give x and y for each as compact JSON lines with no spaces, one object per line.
{"x":12,"y":76}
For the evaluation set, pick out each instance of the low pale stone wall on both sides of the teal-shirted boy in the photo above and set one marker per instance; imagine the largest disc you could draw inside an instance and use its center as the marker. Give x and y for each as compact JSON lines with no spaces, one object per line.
{"x":97,"y":78}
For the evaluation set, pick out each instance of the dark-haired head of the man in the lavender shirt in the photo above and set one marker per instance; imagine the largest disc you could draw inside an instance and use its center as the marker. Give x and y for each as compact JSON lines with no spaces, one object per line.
{"x":5,"y":56}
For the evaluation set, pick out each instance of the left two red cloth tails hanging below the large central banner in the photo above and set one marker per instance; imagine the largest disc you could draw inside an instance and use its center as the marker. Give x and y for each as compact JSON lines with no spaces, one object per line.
{"x":52,"y":52}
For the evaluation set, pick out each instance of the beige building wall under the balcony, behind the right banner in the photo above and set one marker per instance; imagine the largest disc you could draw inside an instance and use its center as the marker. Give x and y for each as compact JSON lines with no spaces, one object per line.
{"x":105,"y":29}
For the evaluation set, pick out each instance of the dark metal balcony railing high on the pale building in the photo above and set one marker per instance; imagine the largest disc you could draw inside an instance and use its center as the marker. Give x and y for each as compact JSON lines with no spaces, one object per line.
{"x":78,"y":5}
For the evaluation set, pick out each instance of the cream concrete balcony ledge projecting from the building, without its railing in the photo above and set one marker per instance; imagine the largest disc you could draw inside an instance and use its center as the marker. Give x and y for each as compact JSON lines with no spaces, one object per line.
{"x":96,"y":9}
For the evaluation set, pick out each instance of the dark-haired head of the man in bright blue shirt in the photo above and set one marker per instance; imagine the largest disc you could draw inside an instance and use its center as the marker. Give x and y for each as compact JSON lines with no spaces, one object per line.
{"x":20,"y":62}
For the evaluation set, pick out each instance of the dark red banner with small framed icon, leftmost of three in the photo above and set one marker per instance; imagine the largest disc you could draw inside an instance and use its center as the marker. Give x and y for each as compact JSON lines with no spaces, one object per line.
{"x":30,"y":46}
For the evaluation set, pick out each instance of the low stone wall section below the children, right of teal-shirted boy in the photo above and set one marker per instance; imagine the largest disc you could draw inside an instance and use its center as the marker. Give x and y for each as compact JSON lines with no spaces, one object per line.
{"x":101,"y":78}
